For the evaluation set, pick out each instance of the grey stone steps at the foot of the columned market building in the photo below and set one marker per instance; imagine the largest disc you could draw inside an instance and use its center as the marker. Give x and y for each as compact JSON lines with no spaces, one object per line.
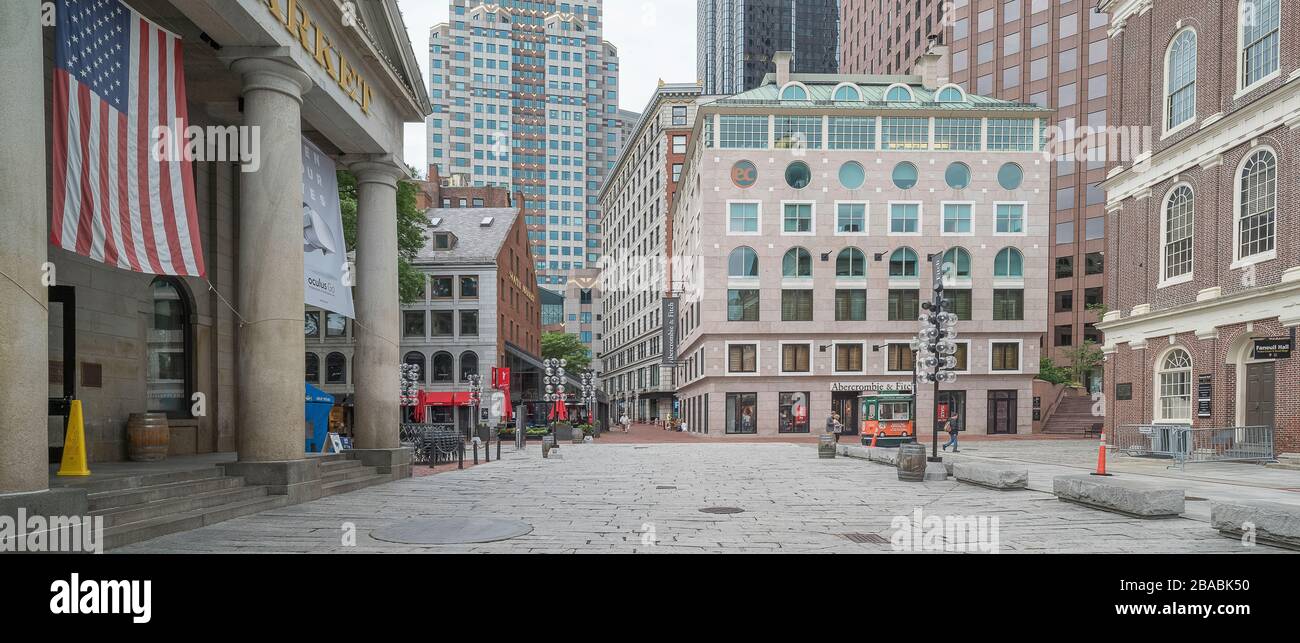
{"x":142,"y":507}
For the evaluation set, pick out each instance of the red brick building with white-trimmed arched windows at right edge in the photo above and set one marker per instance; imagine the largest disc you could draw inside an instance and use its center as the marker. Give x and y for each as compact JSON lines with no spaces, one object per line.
{"x":1207,"y":242}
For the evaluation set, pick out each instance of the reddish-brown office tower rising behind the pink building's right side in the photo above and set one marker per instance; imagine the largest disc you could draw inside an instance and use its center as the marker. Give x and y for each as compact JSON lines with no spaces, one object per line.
{"x":1047,"y":53}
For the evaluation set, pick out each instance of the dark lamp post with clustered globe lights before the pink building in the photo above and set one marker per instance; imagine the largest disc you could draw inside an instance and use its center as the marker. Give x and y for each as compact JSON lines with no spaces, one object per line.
{"x":935,"y":346}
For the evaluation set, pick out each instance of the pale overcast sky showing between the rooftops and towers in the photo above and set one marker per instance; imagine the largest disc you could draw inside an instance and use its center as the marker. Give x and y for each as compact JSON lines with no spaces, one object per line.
{"x":656,"y":40}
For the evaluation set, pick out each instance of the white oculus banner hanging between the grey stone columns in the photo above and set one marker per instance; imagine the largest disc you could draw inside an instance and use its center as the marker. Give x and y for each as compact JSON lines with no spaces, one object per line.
{"x":324,"y":251}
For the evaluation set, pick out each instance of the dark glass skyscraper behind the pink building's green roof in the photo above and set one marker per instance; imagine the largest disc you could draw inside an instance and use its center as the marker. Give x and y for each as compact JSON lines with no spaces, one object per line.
{"x":738,"y":40}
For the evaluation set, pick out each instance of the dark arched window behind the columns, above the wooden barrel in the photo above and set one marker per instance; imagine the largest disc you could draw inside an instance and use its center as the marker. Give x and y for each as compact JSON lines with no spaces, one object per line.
{"x":168,"y":384}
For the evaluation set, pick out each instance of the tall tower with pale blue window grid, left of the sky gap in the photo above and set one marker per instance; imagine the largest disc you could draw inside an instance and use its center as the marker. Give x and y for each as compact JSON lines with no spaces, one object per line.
{"x":527,"y":95}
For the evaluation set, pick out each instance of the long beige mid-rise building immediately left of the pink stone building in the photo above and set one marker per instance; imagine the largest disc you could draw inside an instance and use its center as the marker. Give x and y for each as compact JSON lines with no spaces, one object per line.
{"x":636,"y":276}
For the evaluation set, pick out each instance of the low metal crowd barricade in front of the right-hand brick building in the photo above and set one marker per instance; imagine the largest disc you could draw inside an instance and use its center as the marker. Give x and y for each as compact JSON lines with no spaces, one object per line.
{"x":1184,"y":444}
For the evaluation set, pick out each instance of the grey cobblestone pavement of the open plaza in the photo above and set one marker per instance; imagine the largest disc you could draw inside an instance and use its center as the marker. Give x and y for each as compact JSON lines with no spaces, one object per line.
{"x":626,"y":498}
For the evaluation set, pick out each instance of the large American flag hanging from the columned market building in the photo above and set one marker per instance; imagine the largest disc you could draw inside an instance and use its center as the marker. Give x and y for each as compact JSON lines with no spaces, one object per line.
{"x":118,"y":77}
